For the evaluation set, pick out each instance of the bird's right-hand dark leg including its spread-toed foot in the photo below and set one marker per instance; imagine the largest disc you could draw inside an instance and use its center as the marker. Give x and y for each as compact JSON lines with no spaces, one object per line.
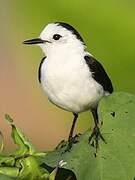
{"x":96,"y":134}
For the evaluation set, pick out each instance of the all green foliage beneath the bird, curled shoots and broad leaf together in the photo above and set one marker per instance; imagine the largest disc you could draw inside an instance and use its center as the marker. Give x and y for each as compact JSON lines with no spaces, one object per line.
{"x":114,"y":160}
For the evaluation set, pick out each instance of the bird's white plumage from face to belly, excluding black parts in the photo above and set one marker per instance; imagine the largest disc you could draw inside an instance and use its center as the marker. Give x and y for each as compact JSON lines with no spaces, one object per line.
{"x":65,"y":76}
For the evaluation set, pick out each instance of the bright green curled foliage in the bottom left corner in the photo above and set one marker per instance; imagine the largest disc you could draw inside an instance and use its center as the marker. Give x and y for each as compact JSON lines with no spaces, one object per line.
{"x":24,"y":163}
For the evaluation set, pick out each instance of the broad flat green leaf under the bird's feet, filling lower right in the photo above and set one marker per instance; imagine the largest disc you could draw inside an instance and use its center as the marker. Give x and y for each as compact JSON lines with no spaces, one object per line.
{"x":114,"y":160}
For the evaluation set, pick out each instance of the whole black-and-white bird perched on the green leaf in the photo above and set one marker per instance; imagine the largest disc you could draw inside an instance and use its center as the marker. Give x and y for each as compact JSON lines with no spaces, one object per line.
{"x":70,"y":76}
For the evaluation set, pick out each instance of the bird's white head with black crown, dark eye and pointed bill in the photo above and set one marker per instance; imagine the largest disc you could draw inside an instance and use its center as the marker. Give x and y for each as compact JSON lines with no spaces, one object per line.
{"x":58,"y":36}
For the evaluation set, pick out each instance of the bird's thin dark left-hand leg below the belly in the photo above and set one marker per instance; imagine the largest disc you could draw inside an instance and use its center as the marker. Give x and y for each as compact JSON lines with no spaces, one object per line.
{"x":70,"y":137}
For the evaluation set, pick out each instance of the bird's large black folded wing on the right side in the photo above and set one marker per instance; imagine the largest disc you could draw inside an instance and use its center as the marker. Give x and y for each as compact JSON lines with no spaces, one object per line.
{"x":98,"y":73}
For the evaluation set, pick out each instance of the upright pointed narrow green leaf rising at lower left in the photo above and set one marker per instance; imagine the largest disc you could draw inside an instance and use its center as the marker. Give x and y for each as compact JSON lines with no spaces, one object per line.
{"x":24,"y":146}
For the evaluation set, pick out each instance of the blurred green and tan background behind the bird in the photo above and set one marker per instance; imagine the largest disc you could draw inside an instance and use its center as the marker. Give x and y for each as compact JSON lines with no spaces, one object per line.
{"x":108,"y":28}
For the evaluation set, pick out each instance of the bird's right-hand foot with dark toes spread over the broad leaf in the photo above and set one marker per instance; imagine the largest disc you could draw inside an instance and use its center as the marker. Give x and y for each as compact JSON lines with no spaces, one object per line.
{"x":95,"y":137}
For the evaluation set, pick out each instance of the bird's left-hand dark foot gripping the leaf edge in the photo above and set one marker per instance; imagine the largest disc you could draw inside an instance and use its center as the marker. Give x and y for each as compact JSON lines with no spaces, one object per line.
{"x":71,"y":141}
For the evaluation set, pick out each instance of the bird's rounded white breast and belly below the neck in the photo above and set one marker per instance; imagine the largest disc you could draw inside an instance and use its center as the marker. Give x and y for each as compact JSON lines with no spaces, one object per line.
{"x":68,"y":83}
